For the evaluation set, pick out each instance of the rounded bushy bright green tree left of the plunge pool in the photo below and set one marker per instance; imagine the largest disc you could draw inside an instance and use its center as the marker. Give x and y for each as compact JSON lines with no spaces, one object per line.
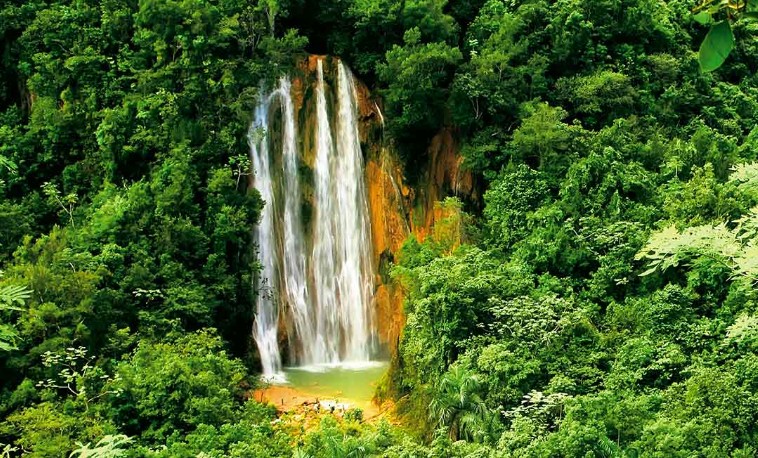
{"x":167,"y":387}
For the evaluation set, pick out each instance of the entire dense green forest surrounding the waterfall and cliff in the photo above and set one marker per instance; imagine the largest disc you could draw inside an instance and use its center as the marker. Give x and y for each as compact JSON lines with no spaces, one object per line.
{"x":598,"y":301}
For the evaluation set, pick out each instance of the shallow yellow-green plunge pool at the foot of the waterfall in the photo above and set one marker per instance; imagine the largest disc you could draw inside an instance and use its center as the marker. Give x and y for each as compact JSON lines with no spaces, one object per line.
{"x":350,"y":383}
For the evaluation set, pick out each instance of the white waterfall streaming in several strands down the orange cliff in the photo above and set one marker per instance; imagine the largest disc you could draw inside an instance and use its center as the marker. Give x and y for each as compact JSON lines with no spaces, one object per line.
{"x":317,"y":276}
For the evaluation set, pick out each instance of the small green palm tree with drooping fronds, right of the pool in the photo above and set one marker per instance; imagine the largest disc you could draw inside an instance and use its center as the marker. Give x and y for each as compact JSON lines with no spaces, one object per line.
{"x":457,"y":406}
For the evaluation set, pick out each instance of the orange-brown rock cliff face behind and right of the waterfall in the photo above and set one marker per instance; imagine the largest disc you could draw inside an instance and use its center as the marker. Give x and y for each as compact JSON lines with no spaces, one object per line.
{"x":397,"y":208}
